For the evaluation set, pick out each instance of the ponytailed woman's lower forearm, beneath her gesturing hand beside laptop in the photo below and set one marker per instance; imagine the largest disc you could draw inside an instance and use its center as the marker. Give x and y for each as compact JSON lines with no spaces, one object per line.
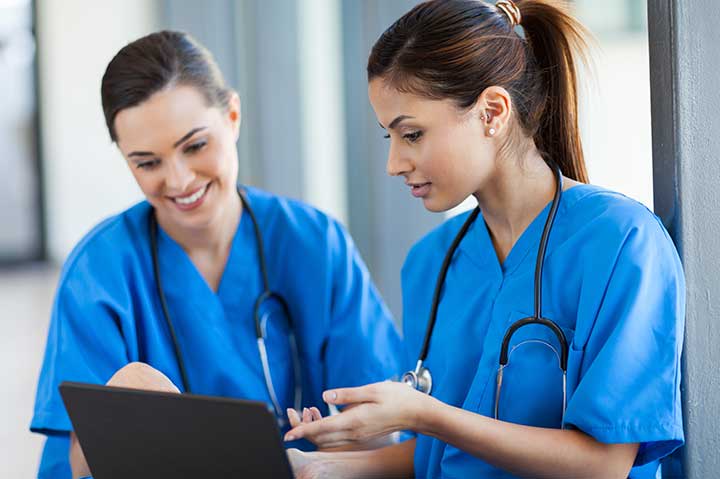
{"x":394,"y":461}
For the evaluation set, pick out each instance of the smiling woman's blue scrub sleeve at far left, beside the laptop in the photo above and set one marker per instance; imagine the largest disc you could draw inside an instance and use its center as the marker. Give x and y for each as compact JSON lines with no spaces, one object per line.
{"x":84,"y":343}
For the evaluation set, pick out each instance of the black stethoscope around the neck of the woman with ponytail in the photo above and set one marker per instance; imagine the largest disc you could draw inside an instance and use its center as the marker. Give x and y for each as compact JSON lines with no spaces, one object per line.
{"x":421,"y":379}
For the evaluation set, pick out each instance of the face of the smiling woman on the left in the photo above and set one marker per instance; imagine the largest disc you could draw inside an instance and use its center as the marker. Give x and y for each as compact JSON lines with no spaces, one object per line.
{"x":187,"y":168}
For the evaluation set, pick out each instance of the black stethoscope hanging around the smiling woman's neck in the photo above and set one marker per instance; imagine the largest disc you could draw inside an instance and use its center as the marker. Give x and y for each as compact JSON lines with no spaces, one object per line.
{"x":260,"y":315}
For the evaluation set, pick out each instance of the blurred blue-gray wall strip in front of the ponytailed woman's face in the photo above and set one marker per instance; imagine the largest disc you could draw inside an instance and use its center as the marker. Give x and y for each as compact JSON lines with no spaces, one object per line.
{"x":384,"y":219}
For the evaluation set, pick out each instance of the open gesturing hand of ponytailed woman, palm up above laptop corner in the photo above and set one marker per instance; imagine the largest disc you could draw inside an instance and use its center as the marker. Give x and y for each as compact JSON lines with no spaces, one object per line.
{"x":374,"y":410}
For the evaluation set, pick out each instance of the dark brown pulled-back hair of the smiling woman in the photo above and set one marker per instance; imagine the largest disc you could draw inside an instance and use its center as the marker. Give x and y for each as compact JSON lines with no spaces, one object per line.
{"x":154,"y":62}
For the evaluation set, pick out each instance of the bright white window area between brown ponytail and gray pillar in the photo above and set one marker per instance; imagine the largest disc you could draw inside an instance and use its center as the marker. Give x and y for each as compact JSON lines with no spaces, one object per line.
{"x":615,"y":97}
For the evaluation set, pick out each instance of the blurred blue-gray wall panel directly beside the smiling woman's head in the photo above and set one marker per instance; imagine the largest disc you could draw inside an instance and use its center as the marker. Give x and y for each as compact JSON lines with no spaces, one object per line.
{"x":262,"y":65}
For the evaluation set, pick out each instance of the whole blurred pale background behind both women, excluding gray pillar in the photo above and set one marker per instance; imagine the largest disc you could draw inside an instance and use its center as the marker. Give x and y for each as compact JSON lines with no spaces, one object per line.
{"x":308,"y":132}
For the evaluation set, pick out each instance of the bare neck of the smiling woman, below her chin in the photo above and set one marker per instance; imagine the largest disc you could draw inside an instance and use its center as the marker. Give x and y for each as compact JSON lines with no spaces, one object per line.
{"x":213,"y":239}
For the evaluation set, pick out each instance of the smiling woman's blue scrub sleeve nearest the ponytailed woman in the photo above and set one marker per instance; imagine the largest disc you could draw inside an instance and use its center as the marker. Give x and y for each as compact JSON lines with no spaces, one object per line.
{"x":363,"y":344}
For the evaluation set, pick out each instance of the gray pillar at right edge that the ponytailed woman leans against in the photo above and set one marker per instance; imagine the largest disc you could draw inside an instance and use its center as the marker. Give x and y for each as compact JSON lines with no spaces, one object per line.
{"x":685,"y":67}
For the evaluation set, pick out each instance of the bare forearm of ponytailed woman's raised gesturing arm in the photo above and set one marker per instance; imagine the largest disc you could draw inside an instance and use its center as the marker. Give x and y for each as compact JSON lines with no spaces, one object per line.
{"x":526,"y":451}
